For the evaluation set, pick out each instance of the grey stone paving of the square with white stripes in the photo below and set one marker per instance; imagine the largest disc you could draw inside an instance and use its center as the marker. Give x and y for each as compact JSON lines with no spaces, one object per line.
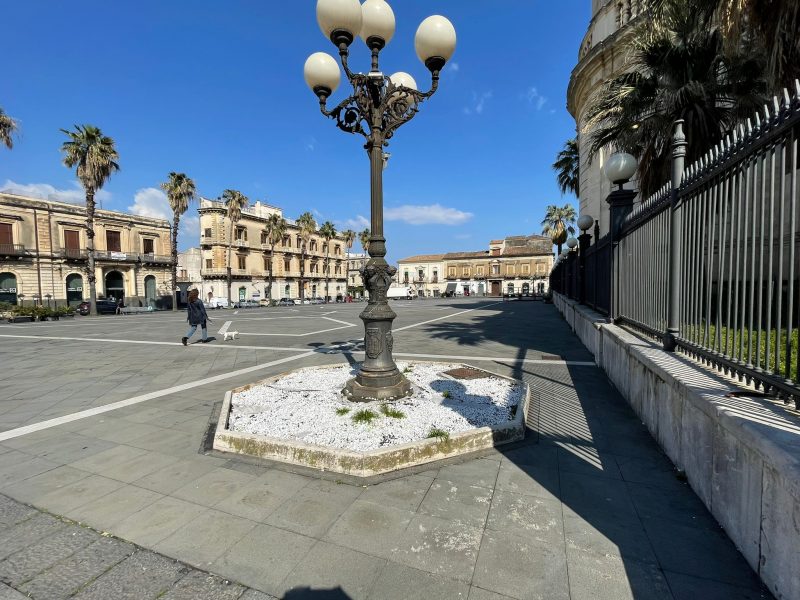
{"x":102,"y":422}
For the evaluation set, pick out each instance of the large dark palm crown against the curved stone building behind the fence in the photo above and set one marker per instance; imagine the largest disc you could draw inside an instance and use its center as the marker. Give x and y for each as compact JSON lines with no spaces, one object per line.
{"x":677,"y":69}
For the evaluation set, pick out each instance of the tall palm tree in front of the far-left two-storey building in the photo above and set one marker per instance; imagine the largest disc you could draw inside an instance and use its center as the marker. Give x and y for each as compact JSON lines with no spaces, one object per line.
{"x":94,"y":157}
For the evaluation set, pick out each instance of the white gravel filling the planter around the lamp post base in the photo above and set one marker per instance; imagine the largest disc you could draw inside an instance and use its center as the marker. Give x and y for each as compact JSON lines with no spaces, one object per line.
{"x":302,"y":406}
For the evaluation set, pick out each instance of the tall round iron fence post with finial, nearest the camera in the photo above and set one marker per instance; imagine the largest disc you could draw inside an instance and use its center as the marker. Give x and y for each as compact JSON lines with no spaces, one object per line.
{"x":675,"y":247}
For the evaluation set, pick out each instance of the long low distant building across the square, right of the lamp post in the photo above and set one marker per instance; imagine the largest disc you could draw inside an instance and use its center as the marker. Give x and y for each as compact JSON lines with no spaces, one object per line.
{"x":517,"y":264}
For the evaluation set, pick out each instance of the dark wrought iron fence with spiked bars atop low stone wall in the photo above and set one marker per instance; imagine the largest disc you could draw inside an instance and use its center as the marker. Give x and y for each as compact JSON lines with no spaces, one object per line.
{"x":710,"y":262}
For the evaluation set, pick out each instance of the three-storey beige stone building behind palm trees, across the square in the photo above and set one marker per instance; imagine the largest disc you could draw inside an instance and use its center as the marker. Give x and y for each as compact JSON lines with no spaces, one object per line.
{"x":250,"y":257}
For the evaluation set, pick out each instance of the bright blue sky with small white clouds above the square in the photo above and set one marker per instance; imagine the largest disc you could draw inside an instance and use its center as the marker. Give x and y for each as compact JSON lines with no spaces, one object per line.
{"x":215,"y":89}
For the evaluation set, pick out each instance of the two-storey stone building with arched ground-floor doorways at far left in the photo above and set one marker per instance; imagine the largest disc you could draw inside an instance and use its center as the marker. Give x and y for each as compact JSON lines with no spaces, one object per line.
{"x":43,"y":253}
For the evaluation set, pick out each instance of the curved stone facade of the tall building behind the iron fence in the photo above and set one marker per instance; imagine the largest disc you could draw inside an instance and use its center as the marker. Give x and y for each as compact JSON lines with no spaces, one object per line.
{"x":602,"y":56}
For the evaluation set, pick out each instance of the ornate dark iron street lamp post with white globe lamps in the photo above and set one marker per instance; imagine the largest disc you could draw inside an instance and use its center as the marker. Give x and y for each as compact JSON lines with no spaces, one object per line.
{"x":378,"y":106}
